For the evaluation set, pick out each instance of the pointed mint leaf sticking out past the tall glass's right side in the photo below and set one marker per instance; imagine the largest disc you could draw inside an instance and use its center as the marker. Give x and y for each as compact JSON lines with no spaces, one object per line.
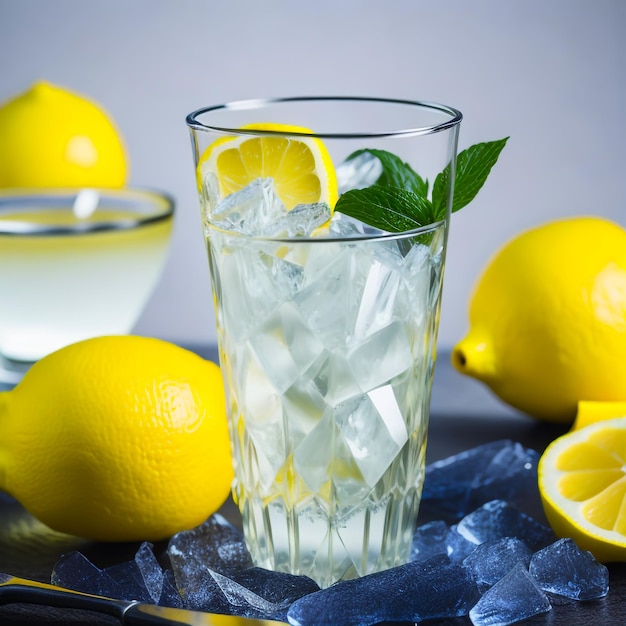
{"x":472,"y":168}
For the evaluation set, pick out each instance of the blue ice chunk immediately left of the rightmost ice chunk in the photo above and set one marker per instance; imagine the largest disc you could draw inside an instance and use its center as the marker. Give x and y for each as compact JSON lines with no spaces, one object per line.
{"x":492,"y":560}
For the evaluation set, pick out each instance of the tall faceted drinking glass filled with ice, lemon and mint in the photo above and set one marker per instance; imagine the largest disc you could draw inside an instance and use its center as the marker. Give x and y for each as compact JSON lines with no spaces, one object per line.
{"x":326,"y":329}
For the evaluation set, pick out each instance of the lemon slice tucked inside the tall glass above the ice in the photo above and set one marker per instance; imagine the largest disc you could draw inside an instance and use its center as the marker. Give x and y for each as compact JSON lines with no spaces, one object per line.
{"x":300,"y":166}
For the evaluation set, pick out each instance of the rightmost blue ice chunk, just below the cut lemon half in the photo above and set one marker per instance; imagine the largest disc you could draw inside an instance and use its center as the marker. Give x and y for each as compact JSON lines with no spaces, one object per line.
{"x":566,"y":570}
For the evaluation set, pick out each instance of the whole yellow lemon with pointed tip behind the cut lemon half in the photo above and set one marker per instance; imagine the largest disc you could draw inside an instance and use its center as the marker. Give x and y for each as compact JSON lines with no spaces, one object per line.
{"x":547,"y":319}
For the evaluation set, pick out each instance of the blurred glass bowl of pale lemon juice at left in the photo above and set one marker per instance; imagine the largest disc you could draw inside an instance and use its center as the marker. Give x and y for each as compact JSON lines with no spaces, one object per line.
{"x":76,"y":264}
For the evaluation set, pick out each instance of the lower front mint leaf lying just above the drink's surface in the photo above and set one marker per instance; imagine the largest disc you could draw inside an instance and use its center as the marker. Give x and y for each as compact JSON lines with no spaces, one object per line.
{"x":392,"y":209}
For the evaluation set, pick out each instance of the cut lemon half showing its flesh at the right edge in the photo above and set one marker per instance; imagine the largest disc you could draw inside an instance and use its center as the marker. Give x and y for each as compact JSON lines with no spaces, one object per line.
{"x":582,"y":482}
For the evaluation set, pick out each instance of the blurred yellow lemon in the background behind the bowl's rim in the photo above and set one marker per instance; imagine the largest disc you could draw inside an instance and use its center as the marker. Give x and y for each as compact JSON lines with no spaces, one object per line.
{"x":52,"y":137}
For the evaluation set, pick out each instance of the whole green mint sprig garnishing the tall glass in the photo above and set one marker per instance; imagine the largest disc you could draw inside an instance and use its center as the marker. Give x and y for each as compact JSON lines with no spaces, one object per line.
{"x":398,"y":201}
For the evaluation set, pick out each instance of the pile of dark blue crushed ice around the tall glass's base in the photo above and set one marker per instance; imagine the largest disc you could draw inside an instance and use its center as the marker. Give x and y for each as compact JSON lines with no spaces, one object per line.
{"x":494,"y":564}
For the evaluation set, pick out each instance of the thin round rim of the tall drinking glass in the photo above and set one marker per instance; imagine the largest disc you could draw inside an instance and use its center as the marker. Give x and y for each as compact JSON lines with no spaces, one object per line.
{"x":238,"y":105}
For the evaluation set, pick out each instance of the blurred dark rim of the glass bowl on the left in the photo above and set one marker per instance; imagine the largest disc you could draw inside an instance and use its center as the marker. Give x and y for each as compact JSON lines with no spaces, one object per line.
{"x":18,"y":198}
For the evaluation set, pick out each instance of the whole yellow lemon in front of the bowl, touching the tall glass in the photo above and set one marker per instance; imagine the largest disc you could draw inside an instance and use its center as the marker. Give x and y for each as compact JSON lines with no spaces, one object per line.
{"x":118,"y":438}
